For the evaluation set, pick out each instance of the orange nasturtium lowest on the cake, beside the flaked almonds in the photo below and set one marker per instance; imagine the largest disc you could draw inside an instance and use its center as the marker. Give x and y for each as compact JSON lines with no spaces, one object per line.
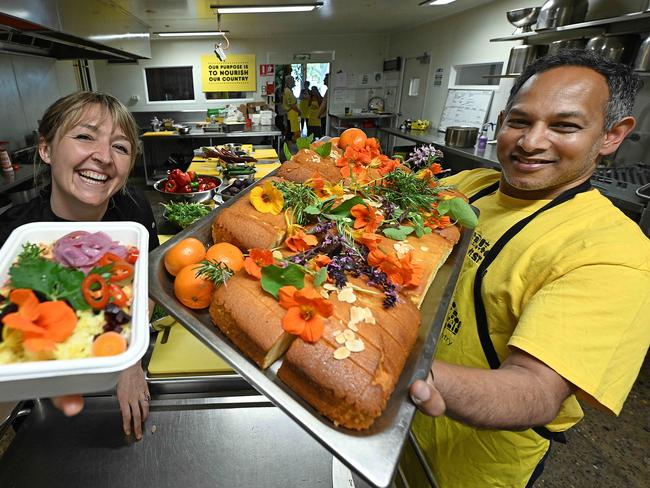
{"x":305,"y":309}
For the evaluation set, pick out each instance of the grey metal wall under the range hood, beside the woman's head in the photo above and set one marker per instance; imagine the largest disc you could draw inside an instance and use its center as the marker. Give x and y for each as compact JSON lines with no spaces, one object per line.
{"x":28,"y":85}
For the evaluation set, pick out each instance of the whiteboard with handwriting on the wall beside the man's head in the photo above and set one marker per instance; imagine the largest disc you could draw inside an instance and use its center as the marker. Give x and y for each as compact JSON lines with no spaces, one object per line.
{"x":465,"y":107}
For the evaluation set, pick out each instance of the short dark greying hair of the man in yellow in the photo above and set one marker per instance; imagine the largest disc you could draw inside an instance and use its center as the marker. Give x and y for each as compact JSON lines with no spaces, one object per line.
{"x":622,"y":81}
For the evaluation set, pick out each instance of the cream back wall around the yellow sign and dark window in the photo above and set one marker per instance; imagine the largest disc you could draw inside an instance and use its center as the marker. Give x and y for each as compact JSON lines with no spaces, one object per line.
{"x":348,"y":53}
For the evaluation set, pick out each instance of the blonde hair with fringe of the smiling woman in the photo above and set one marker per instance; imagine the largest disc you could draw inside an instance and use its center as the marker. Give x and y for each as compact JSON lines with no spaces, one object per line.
{"x":66,"y":112}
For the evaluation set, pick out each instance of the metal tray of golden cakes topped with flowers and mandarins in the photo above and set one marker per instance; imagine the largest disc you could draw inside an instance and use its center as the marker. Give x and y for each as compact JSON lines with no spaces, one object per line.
{"x":328,"y":296}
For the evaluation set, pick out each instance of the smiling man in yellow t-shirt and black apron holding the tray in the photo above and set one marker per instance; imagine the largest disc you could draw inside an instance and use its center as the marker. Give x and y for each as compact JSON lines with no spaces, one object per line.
{"x":537,"y":325}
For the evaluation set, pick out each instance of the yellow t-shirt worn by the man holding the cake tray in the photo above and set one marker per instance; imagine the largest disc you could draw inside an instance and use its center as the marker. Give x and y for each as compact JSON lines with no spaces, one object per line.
{"x":573,"y":290}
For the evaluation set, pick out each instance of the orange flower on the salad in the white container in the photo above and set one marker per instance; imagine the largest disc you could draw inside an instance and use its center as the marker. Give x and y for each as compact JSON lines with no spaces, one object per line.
{"x":43,"y":324}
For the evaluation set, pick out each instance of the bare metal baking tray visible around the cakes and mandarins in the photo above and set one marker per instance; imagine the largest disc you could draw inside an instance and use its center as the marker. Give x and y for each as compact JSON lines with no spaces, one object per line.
{"x":374,"y":453}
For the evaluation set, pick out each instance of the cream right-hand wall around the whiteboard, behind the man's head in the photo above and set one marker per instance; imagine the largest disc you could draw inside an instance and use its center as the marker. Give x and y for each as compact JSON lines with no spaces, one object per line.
{"x":464,"y":39}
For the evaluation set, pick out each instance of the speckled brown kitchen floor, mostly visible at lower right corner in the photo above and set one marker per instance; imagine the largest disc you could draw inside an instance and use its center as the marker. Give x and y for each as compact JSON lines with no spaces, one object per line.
{"x":602,"y":450}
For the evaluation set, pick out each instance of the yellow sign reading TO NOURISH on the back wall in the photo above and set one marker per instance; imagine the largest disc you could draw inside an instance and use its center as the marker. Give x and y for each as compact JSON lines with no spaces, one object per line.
{"x":237,"y":73}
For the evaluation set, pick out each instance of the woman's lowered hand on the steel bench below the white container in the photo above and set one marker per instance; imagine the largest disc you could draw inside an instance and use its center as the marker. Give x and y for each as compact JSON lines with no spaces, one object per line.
{"x":133,"y":396}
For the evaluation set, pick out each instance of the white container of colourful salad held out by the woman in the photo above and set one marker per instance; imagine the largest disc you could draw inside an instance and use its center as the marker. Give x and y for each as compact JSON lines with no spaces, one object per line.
{"x":73,"y":307}
